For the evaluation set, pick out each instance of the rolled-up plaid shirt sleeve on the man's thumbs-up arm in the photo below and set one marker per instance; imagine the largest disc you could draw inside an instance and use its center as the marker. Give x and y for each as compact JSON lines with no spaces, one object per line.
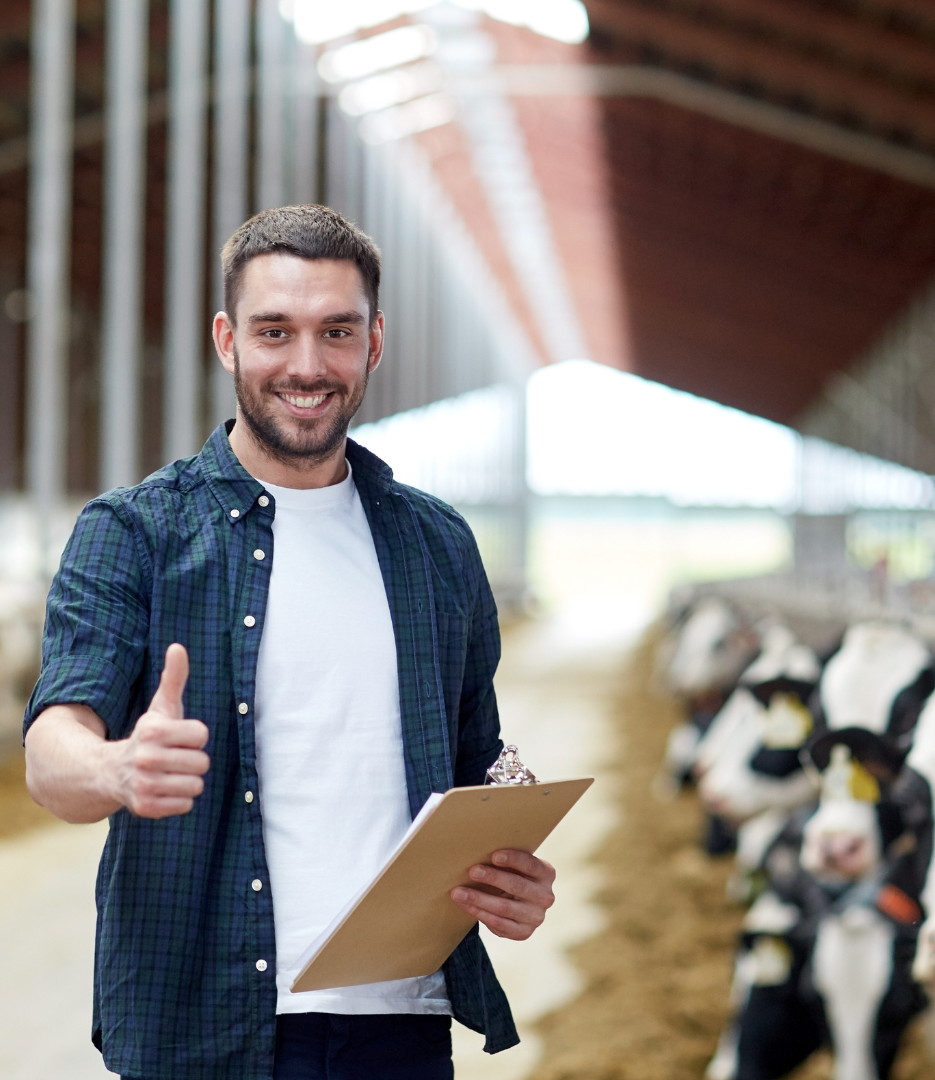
{"x":97,"y":623}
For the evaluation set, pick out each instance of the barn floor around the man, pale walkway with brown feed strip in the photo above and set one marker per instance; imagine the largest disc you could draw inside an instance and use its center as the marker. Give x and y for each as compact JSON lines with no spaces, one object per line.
{"x":642,"y":995}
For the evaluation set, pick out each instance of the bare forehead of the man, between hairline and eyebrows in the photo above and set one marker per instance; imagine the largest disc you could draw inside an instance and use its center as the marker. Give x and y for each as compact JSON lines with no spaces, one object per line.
{"x":282,"y":282}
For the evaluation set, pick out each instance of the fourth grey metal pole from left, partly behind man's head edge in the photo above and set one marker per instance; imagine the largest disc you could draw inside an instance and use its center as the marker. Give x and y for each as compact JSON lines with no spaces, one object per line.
{"x":232,"y":156}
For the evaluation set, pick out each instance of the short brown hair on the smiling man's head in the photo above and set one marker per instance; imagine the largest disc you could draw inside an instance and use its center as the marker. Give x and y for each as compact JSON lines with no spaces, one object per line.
{"x":309,"y":233}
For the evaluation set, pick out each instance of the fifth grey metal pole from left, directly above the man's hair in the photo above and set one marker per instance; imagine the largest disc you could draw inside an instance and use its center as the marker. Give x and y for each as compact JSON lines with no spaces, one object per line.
{"x":270,"y":179}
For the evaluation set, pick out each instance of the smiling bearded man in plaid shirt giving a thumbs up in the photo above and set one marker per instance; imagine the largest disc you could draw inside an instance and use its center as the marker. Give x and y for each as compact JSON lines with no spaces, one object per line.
{"x":335,"y":636}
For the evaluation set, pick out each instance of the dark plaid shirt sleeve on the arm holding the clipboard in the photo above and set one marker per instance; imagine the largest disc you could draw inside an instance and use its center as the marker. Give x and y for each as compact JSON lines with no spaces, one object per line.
{"x":479,"y":727}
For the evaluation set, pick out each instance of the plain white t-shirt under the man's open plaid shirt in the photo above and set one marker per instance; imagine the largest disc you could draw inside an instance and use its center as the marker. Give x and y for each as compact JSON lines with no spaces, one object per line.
{"x":330,"y":745}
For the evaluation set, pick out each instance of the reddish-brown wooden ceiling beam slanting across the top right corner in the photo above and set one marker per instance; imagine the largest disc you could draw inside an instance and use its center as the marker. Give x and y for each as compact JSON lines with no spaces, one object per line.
{"x":781,"y":73}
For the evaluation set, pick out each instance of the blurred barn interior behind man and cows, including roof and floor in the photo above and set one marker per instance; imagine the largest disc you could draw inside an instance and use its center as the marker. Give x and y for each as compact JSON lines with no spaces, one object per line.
{"x":661,"y":325}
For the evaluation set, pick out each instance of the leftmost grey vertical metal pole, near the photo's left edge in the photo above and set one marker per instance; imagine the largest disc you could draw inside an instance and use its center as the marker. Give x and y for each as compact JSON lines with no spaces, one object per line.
{"x":49,"y":252}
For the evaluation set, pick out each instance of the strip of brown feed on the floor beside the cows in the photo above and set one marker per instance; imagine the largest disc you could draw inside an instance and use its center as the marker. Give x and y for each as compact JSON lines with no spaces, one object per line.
{"x":657,"y":979}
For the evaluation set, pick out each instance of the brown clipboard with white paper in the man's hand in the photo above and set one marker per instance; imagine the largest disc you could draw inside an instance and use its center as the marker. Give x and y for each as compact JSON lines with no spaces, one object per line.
{"x":405,"y":924}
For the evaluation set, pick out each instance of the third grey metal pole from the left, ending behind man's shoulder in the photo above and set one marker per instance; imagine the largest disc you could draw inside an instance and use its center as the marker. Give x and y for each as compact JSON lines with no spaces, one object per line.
{"x":184,"y":335}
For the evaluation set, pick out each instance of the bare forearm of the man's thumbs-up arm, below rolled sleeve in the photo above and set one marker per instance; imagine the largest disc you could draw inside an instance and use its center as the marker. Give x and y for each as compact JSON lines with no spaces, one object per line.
{"x":69,"y":765}
